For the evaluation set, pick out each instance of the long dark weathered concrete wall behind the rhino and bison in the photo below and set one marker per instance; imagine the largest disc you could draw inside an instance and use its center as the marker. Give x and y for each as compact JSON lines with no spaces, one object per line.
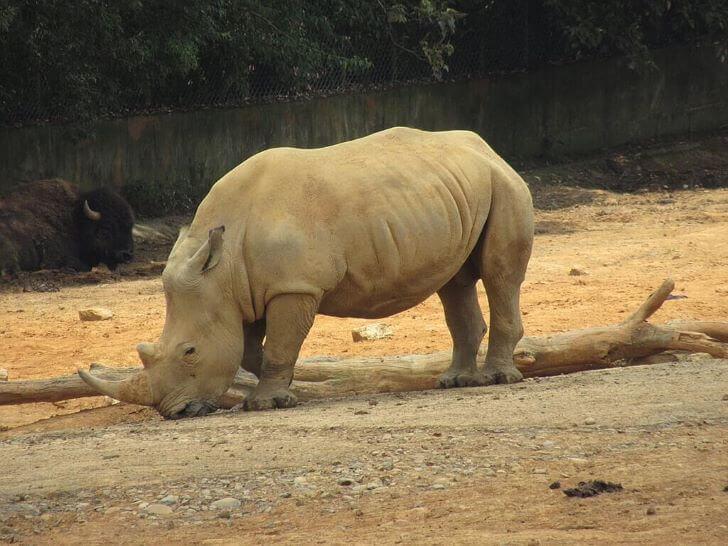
{"x":170,"y":160}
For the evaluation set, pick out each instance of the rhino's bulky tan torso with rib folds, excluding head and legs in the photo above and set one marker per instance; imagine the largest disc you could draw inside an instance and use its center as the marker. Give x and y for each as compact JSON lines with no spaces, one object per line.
{"x":369,"y":224}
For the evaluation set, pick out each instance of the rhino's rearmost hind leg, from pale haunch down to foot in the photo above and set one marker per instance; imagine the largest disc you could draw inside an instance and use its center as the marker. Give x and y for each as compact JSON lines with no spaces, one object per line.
{"x":505,"y":252}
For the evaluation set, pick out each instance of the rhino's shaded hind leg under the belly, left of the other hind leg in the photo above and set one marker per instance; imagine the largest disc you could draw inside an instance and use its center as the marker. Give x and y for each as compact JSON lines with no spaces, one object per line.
{"x":464,"y":319}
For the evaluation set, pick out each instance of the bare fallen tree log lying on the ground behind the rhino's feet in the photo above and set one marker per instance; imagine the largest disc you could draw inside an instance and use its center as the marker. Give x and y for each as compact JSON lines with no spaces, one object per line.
{"x":630,"y":342}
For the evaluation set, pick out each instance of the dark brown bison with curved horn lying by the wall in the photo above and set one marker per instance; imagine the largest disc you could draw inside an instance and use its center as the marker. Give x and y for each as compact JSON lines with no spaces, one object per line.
{"x":50,"y":224}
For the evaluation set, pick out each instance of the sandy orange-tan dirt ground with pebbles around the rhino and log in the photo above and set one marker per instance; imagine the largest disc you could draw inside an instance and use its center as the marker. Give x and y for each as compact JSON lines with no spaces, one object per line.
{"x":464,"y":466}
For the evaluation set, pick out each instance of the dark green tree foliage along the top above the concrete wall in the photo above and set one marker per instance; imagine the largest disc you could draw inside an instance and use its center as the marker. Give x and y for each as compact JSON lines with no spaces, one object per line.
{"x":78,"y":60}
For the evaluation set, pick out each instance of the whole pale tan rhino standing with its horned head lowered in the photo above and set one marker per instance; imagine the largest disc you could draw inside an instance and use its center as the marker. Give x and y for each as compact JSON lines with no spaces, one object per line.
{"x":366,"y":228}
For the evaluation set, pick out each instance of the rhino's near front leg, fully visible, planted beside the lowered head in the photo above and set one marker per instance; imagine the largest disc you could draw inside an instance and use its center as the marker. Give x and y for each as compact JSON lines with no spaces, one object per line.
{"x":289,"y":318}
